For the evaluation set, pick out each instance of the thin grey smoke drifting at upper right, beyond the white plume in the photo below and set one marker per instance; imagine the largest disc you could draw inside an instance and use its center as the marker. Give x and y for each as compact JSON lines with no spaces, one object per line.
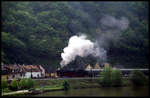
{"x":110,"y":30}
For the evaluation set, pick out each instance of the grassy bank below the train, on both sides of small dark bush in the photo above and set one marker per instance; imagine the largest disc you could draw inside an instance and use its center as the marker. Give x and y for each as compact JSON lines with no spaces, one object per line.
{"x":74,"y":83}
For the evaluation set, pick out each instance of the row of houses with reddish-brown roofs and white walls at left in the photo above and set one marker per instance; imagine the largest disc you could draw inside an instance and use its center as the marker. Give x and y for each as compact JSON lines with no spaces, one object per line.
{"x":10,"y":72}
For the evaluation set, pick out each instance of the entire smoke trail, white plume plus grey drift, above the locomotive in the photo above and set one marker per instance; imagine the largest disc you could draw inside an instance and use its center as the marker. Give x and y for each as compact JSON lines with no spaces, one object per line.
{"x":109,"y":31}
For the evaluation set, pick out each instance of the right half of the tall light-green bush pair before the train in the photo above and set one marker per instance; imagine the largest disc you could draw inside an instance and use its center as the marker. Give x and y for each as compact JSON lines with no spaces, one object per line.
{"x":116,"y":77}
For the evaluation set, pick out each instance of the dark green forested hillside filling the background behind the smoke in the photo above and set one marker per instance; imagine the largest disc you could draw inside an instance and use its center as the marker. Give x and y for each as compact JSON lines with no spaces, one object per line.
{"x":37,"y":32}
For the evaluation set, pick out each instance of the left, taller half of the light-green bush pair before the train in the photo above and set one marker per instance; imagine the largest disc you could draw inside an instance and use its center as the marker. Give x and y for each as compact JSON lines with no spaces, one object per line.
{"x":106,"y":76}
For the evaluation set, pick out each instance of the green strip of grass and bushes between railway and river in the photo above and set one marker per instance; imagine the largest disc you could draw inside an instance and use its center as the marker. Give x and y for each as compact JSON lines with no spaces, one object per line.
{"x":110,"y":78}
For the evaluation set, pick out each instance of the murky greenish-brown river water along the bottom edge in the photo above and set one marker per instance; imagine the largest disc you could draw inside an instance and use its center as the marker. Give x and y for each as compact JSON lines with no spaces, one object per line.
{"x":110,"y":91}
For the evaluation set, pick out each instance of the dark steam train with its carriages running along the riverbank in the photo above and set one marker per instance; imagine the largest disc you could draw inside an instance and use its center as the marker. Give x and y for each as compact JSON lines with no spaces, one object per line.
{"x":94,"y":72}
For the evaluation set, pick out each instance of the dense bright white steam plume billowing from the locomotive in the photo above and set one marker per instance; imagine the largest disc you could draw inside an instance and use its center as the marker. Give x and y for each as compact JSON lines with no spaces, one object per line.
{"x":79,"y":46}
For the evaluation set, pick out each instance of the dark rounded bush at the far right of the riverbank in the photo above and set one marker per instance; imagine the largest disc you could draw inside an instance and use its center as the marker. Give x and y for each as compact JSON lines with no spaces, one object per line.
{"x":138,"y":78}
